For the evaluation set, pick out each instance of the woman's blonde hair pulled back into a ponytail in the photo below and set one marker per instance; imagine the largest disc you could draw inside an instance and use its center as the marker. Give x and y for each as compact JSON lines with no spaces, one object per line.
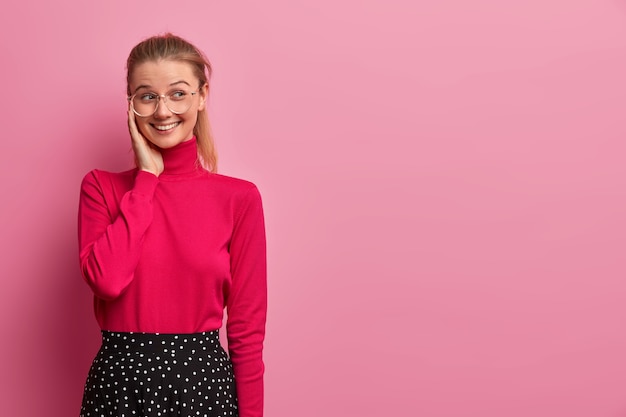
{"x":175,"y":48}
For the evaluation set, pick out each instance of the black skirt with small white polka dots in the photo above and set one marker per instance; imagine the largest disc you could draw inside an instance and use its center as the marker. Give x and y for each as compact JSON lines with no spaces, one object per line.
{"x":152,"y":375}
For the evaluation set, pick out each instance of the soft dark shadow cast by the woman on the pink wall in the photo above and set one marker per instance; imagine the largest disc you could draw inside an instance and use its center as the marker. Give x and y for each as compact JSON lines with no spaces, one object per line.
{"x":69,"y":337}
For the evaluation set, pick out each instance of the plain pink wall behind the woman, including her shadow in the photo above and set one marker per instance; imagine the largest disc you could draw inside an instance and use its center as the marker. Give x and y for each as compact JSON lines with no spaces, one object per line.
{"x":444,"y":185}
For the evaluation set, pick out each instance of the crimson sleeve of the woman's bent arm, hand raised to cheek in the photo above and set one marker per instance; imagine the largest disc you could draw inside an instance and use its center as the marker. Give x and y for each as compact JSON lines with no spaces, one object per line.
{"x":110,"y":238}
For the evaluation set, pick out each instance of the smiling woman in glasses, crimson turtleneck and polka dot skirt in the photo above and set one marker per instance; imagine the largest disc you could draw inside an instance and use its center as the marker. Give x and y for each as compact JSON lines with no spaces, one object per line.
{"x":166,"y":247}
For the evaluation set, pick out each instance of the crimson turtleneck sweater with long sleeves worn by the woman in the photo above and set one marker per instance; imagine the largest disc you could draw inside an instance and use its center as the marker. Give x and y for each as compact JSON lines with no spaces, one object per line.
{"x":167,"y":254}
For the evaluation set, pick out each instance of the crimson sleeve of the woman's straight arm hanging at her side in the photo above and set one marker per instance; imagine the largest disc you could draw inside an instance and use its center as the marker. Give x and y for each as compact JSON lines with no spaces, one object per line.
{"x":247,"y":303}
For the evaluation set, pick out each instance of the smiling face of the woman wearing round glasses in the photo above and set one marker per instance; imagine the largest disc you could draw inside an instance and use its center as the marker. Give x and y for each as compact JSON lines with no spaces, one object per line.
{"x":164,"y":128}
